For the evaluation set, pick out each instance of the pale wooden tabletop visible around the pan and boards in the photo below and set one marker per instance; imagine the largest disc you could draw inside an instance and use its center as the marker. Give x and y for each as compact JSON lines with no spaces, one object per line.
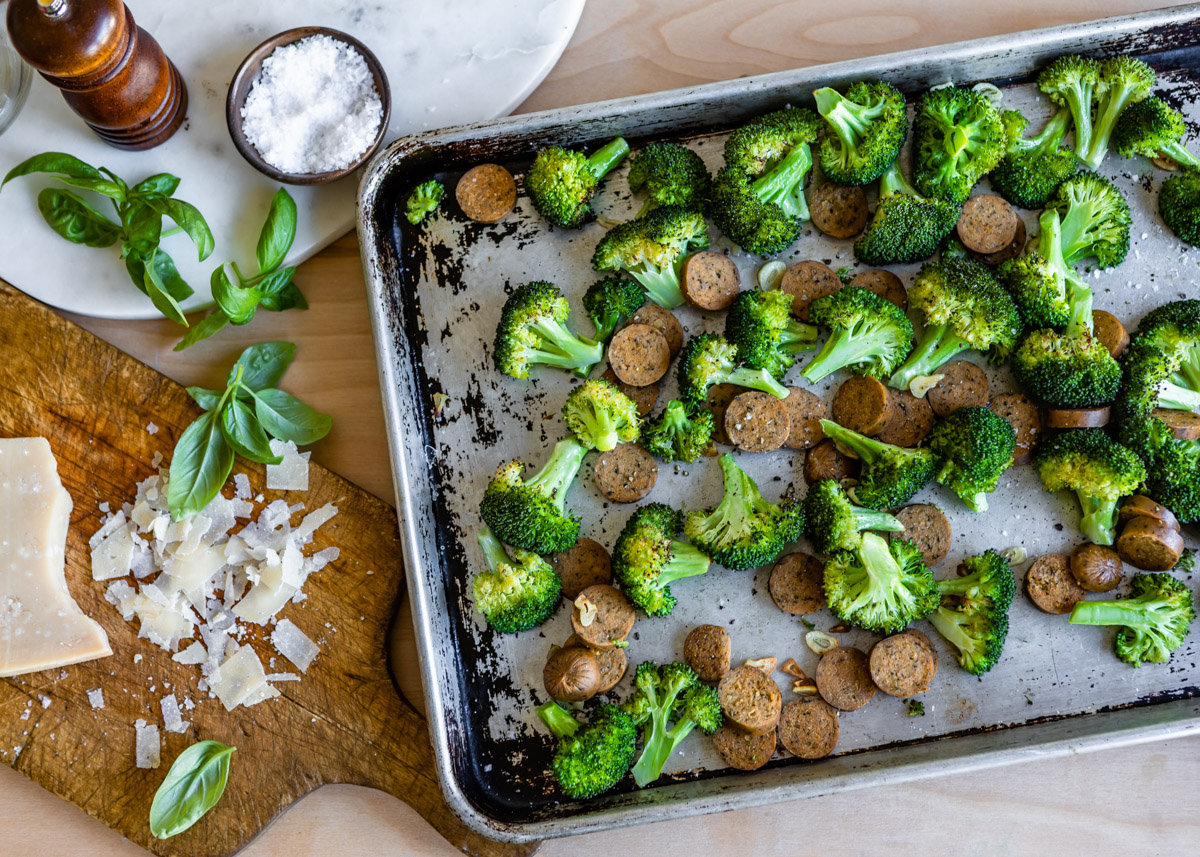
{"x":1139,"y":801}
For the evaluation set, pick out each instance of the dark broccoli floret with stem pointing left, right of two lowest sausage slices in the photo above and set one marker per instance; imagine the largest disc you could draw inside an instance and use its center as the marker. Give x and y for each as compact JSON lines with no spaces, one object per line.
{"x":974,"y":612}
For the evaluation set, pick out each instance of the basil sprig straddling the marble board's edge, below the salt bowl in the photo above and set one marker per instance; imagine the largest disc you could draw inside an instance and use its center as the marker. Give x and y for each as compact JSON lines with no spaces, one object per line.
{"x":238,"y":297}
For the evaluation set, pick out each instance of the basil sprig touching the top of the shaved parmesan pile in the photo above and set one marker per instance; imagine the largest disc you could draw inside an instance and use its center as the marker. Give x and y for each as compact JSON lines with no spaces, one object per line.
{"x":241,"y":419}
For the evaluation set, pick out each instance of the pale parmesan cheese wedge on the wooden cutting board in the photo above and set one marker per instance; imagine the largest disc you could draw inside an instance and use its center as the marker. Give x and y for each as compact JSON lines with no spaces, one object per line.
{"x":41,"y":626}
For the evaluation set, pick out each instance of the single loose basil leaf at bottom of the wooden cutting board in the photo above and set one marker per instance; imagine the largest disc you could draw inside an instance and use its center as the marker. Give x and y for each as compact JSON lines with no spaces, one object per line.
{"x":194,"y":786}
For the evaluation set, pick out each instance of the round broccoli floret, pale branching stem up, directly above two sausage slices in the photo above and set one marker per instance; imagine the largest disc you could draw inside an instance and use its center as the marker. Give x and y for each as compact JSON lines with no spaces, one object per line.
{"x":883,"y":586}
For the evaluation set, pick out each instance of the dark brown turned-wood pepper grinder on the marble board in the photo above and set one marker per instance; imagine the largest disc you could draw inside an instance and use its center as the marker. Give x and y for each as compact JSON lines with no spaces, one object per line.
{"x":112,"y":73}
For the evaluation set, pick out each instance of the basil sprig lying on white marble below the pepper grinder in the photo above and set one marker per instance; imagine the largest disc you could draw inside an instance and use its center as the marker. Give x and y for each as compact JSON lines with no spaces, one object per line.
{"x":139,"y":226}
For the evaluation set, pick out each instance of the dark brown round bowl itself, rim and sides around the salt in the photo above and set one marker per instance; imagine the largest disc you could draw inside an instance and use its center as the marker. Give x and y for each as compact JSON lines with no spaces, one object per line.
{"x":244,"y":80}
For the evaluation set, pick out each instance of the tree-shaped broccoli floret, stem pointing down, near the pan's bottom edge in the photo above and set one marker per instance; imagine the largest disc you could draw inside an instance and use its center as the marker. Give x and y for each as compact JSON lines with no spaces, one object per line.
{"x":671,"y":703}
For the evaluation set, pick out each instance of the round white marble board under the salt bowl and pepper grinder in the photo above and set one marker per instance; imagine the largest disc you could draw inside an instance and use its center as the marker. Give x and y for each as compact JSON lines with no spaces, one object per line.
{"x":448,"y":63}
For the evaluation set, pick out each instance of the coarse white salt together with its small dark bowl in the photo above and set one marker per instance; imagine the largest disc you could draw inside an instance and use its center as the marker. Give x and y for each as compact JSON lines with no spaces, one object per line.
{"x":309,"y":106}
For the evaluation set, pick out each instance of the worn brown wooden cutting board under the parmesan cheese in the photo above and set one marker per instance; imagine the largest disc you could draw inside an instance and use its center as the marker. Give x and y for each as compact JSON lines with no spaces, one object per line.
{"x":344,"y":723}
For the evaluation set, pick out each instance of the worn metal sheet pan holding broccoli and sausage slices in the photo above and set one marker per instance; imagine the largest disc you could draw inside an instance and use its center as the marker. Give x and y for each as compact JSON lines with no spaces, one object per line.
{"x":435,"y":296}
